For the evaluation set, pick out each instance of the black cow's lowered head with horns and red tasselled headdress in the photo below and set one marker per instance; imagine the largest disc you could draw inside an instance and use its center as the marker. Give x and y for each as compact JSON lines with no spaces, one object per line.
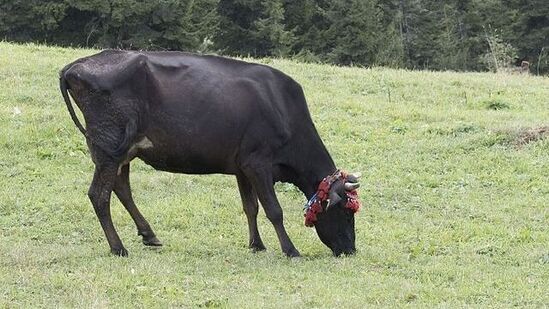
{"x":335,"y":220}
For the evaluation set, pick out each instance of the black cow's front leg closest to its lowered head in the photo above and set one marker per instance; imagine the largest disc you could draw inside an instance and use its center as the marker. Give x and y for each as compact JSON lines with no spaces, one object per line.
{"x":262,"y":181}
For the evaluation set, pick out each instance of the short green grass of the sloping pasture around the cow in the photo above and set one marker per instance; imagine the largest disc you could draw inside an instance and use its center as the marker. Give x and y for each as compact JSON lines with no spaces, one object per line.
{"x":455,"y":210}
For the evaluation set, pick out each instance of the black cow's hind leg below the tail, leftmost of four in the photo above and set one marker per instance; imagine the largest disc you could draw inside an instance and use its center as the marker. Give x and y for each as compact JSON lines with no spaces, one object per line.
{"x":100,"y":196}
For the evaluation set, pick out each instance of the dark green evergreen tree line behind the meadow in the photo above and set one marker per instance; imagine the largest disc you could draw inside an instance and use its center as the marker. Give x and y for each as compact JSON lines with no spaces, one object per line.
{"x":461,"y":35}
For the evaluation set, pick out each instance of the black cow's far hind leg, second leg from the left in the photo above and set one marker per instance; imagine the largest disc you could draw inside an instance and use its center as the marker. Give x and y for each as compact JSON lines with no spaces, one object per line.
{"x":123,"y":192}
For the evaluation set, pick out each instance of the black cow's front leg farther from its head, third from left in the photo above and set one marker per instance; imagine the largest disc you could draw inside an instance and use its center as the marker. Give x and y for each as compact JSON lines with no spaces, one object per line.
{"x":249,"y":202}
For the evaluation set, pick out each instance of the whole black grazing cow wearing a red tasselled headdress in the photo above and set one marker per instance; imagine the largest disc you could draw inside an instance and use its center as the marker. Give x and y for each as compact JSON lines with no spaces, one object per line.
{"x":186,"y":113}
